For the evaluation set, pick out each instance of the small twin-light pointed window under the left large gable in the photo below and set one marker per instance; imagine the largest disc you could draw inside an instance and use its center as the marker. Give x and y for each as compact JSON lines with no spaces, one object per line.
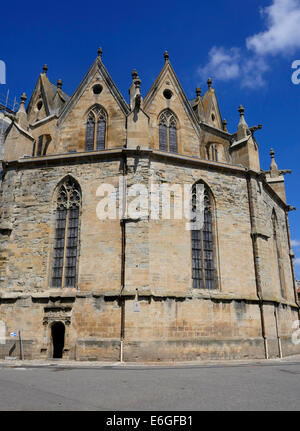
{"x":96,"y":129}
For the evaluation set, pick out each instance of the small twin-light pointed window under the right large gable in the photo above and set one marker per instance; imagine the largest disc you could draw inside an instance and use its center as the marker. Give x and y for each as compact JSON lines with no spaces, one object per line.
{"x":168,"y":132}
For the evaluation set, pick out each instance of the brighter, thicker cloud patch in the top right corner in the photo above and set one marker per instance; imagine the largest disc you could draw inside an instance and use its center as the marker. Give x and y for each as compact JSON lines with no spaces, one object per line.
{"x":283,"y":29}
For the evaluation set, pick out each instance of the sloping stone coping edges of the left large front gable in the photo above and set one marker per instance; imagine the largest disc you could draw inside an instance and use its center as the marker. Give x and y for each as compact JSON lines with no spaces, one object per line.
{"x":97,"y":67}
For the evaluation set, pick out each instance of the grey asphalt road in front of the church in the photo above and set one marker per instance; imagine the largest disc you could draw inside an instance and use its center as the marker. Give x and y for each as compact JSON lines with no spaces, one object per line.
{"x":268,"y":387}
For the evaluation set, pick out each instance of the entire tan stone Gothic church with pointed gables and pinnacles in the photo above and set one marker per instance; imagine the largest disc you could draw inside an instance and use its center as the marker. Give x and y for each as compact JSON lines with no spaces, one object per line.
{"x":137,"y":288}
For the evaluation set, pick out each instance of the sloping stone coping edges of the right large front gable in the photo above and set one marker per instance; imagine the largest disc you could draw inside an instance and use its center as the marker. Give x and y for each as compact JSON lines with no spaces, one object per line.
{"x":168,"y":70}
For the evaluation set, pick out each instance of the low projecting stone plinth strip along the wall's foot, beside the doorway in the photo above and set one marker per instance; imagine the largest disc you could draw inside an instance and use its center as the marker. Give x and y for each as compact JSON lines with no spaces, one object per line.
{"x":94,"y":349}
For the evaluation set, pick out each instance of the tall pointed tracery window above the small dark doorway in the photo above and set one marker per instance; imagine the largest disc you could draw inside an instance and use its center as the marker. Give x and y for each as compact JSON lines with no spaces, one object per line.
{"x":68,"y":203}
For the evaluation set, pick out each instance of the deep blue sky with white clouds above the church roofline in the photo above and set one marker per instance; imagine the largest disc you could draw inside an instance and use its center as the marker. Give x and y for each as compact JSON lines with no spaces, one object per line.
{"x":246,"y":47}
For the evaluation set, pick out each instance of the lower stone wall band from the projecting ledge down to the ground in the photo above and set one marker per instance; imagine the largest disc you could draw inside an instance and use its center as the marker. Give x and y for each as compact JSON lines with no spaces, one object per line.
{"x":164,"y":329}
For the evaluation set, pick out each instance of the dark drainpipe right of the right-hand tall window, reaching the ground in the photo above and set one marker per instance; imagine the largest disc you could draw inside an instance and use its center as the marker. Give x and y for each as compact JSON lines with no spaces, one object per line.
{"x":256,"y":257}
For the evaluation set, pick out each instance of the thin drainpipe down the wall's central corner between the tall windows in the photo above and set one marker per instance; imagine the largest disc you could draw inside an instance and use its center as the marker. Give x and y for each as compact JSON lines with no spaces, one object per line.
{"x":123,"y":248}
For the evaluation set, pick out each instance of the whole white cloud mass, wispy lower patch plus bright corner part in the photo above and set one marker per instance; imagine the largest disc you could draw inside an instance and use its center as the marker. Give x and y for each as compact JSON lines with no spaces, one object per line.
{"x":248,"y":65}
